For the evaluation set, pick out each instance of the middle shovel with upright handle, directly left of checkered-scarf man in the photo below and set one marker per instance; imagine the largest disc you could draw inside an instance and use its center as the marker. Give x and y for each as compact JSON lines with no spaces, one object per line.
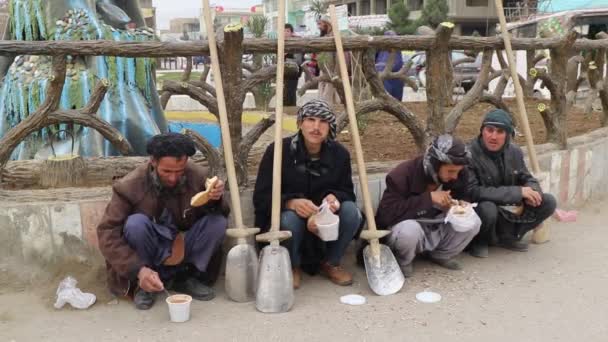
{"x":275,"y":280}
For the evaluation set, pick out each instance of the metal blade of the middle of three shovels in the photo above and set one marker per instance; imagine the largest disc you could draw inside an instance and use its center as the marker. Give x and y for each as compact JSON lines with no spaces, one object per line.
{"x":275,"y":281}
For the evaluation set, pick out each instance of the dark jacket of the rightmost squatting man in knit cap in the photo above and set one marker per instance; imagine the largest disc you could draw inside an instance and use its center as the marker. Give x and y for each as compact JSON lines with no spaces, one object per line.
{"x":503,"y":187}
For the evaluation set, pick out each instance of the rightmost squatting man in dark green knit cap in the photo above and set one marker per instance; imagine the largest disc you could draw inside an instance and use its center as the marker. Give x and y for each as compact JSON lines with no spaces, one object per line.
{"x":511,"y":202}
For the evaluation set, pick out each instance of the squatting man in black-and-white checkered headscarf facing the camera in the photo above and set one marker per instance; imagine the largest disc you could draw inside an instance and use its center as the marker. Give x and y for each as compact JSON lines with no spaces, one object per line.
{"x":315,"y":169}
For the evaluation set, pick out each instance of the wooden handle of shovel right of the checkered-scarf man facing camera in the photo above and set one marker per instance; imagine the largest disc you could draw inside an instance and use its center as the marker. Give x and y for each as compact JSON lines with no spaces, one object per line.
{"x":352,"y":120}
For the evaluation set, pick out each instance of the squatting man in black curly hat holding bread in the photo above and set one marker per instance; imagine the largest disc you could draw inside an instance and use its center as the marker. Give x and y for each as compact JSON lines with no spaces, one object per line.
{"x":150,"y":235}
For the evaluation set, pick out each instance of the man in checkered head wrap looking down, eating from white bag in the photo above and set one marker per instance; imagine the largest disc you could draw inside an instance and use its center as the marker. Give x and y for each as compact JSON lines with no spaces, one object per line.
{"x":418,"y":194}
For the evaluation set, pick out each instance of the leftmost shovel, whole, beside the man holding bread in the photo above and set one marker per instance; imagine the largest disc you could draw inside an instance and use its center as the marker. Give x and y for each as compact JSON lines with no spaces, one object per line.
{"x":242,"y":261}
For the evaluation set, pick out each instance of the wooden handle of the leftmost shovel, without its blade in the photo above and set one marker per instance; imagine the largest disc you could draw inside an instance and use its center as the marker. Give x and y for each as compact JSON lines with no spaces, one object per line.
{"x":223,"y":118}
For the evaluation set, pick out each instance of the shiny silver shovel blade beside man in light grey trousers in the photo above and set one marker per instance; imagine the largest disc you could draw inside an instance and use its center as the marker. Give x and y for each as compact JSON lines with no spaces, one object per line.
{"x":383,"y":273}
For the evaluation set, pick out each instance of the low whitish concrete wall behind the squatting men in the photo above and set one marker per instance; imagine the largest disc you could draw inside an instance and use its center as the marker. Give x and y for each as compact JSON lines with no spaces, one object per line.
{"x":45,"y":228}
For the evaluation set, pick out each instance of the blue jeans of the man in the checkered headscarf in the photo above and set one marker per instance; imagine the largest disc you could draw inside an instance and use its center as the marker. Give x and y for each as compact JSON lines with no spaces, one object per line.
{"x":350,"y":220}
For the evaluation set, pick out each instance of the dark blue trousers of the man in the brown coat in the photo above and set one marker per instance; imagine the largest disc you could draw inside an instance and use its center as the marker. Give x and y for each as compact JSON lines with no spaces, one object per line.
{"x":153,"y":242}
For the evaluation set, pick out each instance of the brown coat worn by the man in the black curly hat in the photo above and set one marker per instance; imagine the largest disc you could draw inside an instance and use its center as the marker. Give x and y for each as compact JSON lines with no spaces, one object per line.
{"x":133,"y":194}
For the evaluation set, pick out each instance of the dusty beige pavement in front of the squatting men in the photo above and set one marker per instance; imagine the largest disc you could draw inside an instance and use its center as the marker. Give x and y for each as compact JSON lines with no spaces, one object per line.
{"x":555,"y":292}
